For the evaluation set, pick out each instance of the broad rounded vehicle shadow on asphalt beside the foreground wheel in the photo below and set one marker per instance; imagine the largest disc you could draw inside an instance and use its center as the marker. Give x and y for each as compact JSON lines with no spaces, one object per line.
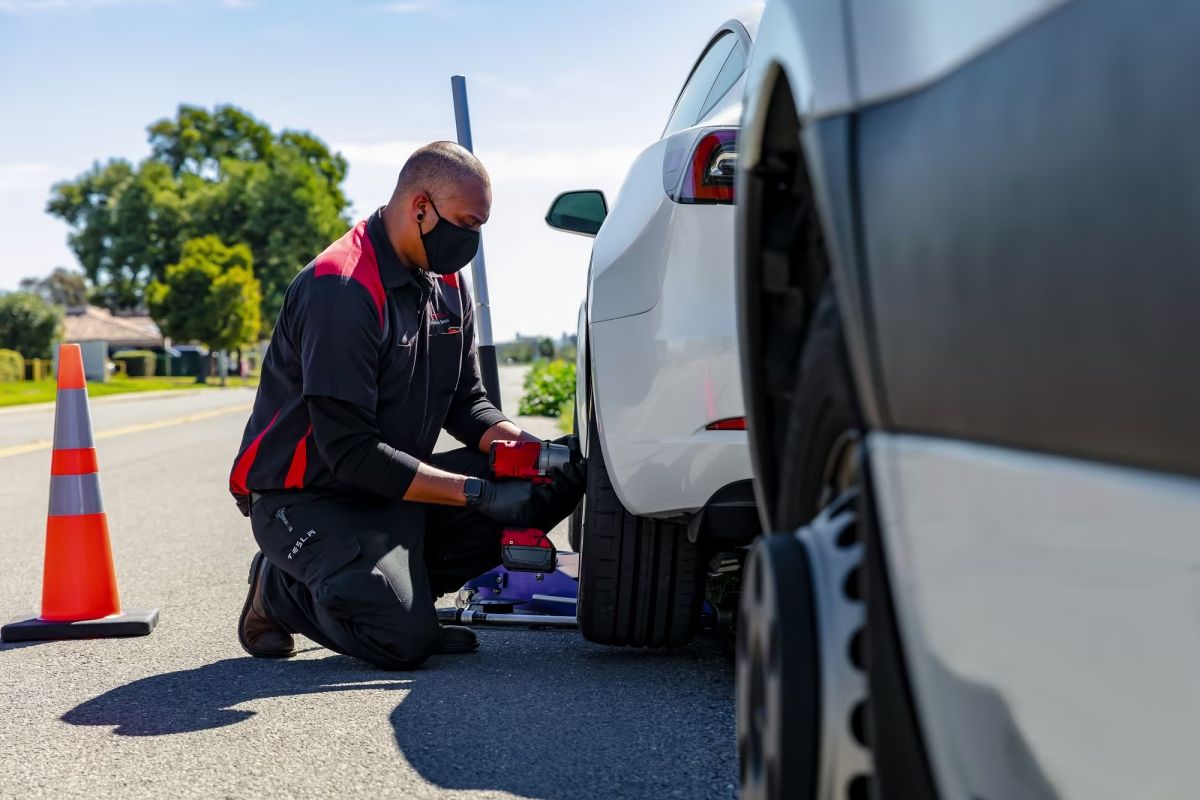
{"x":543,"y":714}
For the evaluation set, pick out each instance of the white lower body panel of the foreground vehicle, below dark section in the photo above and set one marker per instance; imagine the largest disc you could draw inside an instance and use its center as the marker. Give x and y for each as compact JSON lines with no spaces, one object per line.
{"x":1048,"y":612}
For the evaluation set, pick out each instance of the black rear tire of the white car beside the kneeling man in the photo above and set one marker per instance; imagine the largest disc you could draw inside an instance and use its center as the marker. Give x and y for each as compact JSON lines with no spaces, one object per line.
{"x":641,"y":580}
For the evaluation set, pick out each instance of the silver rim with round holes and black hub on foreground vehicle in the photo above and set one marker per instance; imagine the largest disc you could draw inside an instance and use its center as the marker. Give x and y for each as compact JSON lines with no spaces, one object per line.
{"x":801,"y":676}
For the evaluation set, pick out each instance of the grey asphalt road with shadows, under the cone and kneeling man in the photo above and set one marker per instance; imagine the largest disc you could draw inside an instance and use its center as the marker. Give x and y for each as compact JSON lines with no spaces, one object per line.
{"x":185,"y":713}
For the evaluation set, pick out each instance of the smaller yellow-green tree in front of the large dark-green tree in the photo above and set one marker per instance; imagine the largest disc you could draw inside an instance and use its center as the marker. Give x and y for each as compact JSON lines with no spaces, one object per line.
{"x":209,"y":297}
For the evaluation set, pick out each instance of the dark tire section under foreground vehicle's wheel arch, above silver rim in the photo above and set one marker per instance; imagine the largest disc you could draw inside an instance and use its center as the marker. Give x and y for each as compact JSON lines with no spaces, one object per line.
{"x":823,"y":425}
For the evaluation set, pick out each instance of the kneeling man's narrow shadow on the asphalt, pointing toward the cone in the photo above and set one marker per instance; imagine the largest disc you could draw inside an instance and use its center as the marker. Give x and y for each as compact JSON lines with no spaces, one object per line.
{"x":206,"y":697}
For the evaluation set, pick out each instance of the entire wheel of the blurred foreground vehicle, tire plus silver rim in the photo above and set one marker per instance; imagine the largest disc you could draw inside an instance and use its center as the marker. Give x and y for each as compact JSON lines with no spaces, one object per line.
{"x":801,"y":681}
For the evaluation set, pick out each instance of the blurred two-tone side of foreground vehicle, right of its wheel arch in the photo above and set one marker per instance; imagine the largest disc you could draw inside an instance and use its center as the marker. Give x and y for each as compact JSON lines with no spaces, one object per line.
{"x":1028,"y":194}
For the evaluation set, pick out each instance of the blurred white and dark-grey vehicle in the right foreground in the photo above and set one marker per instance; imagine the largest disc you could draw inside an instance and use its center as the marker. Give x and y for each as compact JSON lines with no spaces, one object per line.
{"x":969,"y":293}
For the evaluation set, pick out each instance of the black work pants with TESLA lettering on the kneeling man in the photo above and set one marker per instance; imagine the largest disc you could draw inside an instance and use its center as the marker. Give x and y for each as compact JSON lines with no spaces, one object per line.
{"x":359,"y":575}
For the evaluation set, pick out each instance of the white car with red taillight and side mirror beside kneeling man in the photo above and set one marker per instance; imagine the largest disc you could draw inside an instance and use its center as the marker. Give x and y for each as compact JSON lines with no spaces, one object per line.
{"x":659,"y":398}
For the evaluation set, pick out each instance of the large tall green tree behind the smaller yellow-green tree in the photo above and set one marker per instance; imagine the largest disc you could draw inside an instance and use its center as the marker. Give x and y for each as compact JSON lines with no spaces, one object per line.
{"x":219,"y":173}
